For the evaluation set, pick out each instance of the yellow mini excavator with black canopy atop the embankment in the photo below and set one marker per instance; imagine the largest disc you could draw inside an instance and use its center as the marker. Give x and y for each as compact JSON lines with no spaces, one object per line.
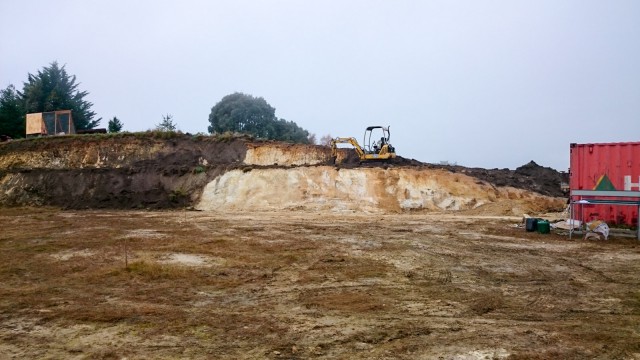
{"x":373,"y":149}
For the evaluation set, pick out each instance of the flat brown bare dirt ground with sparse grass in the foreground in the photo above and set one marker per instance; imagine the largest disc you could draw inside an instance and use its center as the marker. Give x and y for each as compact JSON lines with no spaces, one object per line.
{"x":291,"y":285}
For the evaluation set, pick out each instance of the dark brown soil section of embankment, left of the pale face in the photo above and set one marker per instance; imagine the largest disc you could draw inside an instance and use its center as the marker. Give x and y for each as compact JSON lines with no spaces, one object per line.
{"x":173,"y":177}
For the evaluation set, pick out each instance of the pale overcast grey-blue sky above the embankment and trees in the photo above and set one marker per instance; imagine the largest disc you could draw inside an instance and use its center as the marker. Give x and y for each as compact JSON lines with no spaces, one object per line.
{"x":481,"y":83}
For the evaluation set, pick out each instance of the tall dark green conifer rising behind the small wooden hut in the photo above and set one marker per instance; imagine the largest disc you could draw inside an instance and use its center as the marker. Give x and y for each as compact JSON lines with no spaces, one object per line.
{"x":51,"y":89}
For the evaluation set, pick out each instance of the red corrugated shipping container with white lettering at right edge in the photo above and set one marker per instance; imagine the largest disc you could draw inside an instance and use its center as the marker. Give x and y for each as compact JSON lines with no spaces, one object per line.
{"x":606,"y":166}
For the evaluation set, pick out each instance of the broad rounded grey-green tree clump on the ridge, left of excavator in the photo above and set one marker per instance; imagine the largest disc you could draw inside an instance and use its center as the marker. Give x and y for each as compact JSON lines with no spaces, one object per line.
{"x":244,"y":113}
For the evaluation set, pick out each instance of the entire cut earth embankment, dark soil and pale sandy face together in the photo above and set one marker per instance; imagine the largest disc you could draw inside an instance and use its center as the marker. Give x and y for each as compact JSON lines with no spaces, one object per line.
{"x":237,"y":173}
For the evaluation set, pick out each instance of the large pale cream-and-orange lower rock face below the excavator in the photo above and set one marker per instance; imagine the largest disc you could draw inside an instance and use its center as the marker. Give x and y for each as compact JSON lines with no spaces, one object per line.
{"x":362,"y":189}
